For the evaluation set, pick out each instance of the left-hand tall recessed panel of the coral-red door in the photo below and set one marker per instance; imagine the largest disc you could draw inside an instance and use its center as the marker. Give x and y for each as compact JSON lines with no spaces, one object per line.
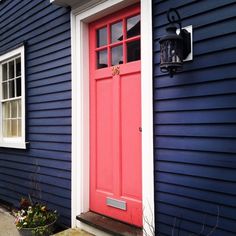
{"x":104,"y":107}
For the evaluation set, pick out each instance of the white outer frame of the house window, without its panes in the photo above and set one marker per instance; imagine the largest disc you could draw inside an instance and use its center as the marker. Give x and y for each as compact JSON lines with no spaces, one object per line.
{"x":15,"y":142}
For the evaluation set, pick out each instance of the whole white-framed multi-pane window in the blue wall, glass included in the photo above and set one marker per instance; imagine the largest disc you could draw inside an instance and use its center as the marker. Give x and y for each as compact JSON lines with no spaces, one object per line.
{"x":12,"y":99}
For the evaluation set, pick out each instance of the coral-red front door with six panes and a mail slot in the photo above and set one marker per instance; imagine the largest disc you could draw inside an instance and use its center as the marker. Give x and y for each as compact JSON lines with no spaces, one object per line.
{"x":115,"y":116}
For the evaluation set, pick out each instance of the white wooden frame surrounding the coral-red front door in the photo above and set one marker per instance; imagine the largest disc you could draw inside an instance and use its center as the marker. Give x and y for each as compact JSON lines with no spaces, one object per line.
{"x":80,"y":105}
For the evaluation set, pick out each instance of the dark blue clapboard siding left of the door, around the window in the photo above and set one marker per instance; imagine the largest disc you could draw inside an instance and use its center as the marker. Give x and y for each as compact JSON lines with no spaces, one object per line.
{"x":45,"y":29}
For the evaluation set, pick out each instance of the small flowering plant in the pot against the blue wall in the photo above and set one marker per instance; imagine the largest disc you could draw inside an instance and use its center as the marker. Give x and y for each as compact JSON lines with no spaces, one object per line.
{"x":34,"y":217}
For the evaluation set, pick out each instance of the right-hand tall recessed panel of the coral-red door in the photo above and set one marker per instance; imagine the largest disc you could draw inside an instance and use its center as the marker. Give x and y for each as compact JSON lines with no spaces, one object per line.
{"x":131,"y":136}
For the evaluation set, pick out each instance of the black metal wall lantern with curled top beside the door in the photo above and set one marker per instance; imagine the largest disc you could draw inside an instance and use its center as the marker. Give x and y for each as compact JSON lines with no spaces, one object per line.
{"x":174,"y":48}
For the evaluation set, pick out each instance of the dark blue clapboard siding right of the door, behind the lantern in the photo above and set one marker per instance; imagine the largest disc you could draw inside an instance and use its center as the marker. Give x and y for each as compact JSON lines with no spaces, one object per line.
{"x":195,"y":123}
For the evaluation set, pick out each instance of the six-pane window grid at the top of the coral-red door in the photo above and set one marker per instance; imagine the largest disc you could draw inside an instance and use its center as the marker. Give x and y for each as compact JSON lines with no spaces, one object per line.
{"x":118,"y":42}
